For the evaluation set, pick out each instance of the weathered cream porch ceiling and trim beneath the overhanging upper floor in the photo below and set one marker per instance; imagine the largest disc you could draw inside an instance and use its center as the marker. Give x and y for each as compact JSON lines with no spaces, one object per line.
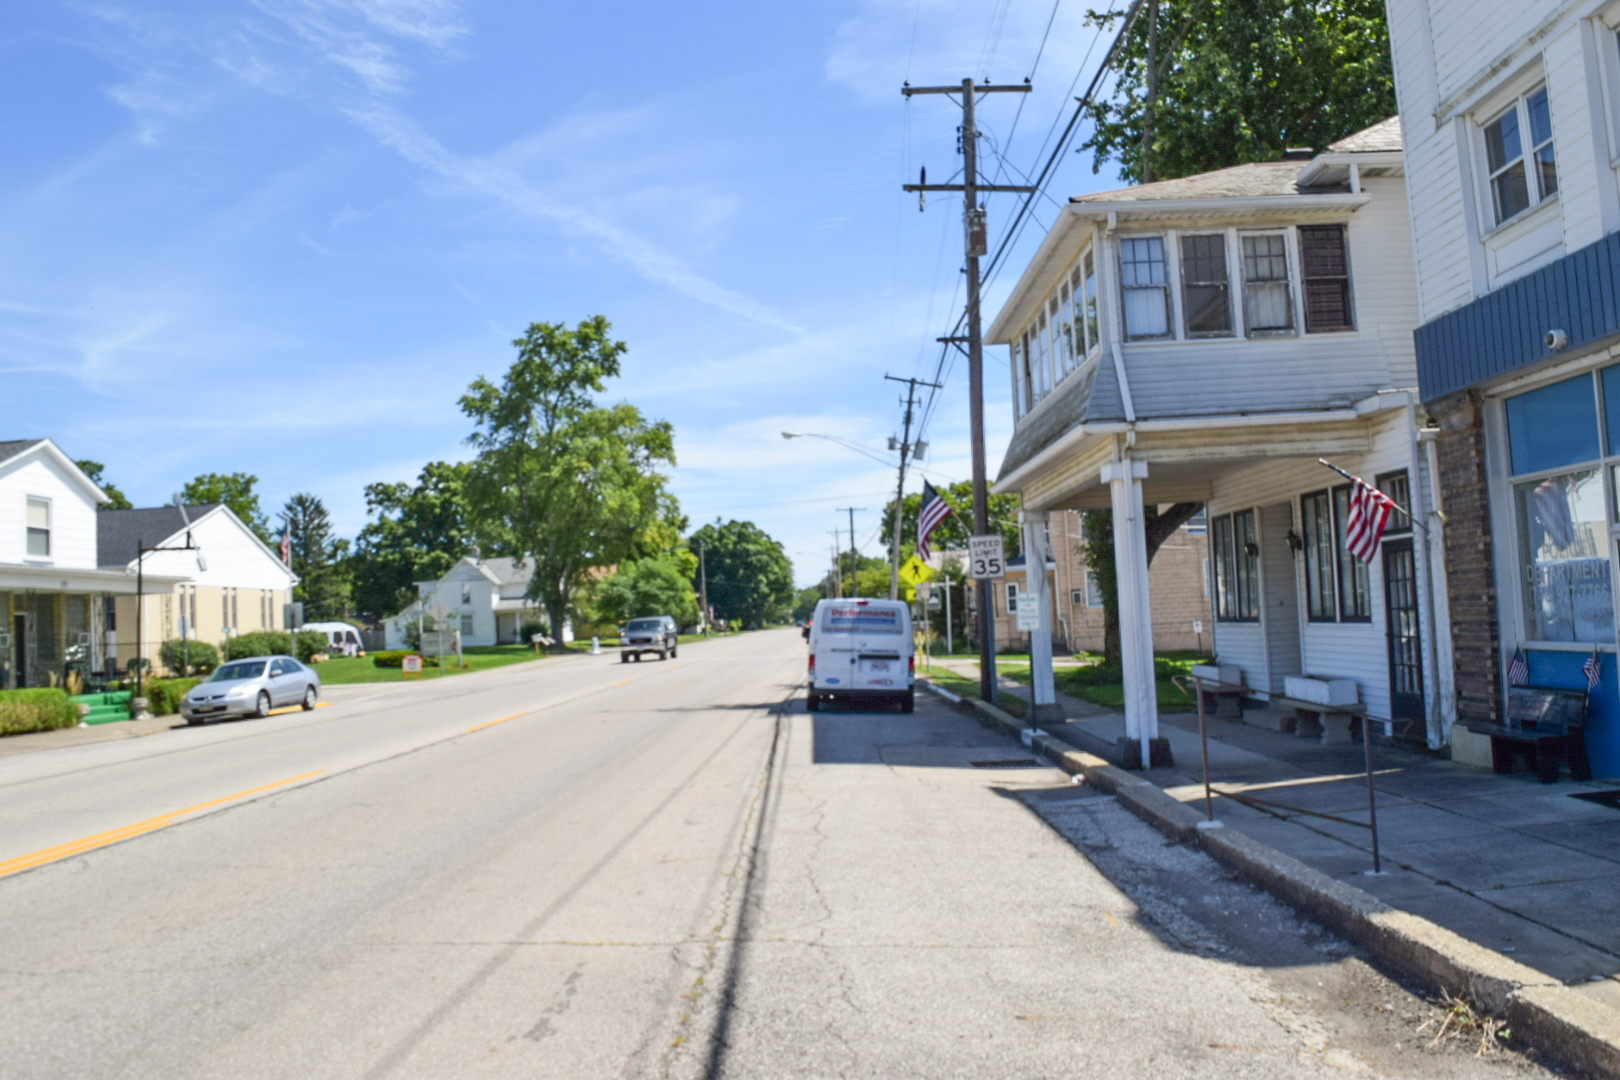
{"x":1185,"y":464}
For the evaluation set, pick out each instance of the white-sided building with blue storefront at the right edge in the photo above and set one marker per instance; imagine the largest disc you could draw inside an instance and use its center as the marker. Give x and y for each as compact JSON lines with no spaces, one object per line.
{"x":1512,"y":117}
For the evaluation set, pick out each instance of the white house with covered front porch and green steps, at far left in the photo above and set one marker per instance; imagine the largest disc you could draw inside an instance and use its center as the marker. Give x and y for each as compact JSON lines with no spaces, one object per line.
{"x":58,"y":603}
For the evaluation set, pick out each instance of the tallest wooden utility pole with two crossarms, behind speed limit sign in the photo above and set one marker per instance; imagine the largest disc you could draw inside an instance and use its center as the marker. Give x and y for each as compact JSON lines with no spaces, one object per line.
{"x":978,"y":245}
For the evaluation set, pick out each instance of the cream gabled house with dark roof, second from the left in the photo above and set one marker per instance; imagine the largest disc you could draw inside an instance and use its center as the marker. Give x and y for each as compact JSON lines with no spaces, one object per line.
{"x":232,"y":584}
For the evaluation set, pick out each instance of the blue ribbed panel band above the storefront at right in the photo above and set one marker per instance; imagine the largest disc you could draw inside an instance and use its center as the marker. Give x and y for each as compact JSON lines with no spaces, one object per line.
{"x":1506,"y":330}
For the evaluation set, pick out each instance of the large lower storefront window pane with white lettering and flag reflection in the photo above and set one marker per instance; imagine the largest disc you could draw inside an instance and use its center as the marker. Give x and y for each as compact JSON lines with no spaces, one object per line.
{"x":1564,"y":532}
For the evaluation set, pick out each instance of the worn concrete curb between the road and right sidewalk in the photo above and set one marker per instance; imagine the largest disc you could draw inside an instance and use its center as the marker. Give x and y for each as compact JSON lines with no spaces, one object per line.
{"x":1545,"y":1013}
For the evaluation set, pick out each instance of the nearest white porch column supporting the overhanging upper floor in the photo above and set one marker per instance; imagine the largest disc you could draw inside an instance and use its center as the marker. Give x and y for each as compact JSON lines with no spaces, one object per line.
{"x":1136,"y":611}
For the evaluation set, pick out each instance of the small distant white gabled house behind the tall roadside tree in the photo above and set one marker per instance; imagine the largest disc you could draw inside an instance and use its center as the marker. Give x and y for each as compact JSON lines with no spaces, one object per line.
{"x":484,"y":598}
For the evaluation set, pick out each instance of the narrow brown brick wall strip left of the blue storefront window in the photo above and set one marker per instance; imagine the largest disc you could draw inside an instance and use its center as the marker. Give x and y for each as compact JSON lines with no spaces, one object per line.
{"x":1470,"y":556}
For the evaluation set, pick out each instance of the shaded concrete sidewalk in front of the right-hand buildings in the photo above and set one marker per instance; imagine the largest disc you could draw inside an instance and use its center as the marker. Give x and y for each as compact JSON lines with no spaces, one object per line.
{"x":1517,"y":867}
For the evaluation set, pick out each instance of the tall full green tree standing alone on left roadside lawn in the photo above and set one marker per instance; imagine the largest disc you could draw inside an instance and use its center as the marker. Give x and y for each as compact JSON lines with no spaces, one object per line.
{"x":561,"y":482}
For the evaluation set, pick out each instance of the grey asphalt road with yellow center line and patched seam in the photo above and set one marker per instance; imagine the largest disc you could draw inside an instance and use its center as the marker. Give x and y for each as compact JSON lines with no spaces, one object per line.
{"x":582,"y":869}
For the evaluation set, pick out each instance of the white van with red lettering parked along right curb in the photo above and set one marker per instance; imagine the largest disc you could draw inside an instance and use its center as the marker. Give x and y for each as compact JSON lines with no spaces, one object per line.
{"x":863,"y":650}
